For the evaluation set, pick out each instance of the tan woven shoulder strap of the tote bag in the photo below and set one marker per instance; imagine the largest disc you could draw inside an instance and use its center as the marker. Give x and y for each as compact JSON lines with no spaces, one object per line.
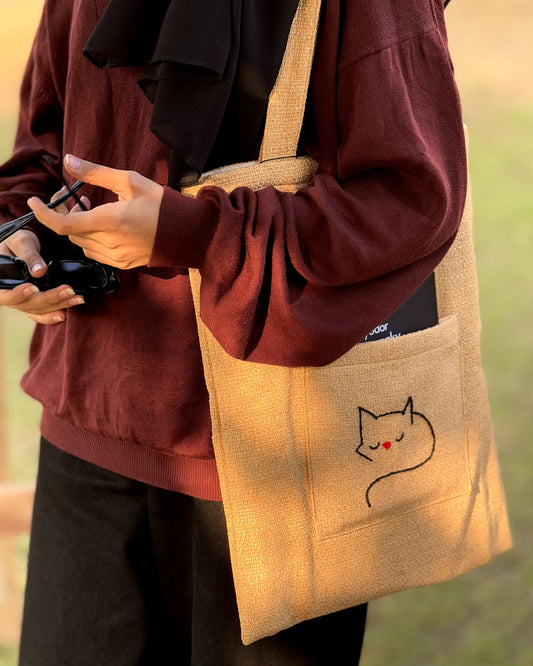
{"x":287,"y":100}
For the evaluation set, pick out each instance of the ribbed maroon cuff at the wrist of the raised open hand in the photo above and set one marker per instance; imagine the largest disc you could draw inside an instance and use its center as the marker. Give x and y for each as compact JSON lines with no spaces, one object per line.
{"x":186,"y":227}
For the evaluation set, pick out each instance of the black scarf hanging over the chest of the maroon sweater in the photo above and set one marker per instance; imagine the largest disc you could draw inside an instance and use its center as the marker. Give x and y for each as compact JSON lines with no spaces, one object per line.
{"x":209,"y":68}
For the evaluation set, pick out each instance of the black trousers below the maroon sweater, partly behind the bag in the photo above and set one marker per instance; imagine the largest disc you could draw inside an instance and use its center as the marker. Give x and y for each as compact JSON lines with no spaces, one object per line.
{"x":125,"y":574}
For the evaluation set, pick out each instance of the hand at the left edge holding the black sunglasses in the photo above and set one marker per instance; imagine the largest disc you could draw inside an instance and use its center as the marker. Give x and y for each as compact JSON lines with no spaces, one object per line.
{"x":47,"y":307}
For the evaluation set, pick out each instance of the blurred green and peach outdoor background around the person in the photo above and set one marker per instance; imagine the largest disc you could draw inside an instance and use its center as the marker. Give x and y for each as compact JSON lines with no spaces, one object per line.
{"x":484,"y":617}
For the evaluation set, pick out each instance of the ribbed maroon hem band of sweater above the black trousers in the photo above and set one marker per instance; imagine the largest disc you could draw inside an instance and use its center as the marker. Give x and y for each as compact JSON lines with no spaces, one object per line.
{"x":197,"y":477}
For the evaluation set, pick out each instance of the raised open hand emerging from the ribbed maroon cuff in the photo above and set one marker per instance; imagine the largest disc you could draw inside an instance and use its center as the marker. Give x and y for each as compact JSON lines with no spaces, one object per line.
{"x":121,"y":233}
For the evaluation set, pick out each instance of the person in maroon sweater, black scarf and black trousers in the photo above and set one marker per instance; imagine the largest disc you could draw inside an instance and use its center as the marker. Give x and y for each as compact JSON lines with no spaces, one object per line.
{"x":128,"y":559}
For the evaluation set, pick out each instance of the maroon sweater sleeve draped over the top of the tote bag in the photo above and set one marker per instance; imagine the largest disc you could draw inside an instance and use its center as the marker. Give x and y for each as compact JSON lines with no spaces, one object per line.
{"x":298,"y":279}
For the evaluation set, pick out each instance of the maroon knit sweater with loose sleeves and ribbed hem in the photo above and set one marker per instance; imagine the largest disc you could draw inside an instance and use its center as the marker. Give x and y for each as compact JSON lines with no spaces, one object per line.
{"x":291,"y":280}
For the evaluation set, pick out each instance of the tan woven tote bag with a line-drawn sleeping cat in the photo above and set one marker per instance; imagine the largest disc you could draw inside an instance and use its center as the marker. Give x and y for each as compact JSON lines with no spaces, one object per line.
{"x":340,"y":487}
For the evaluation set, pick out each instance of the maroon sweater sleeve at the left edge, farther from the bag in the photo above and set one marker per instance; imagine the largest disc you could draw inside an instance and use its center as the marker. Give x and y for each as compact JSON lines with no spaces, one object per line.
{"x":40,"y":120}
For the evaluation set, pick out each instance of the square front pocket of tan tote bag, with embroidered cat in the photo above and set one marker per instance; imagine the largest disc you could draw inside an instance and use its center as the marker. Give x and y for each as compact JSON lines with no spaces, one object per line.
{"x":386,"y":429}
